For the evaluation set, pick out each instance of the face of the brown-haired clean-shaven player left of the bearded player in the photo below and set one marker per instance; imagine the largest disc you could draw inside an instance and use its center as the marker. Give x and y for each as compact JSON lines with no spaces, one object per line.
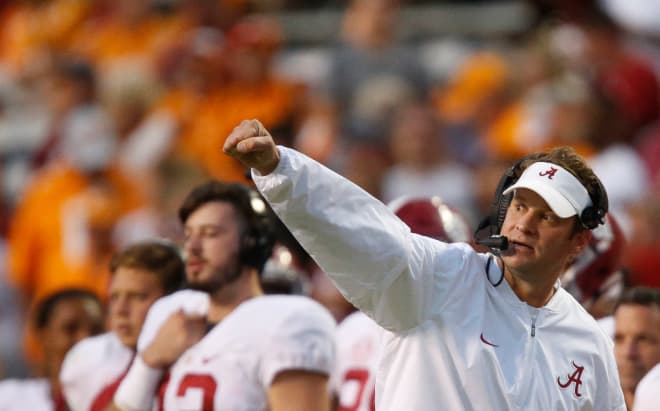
{"x":132,"y":291}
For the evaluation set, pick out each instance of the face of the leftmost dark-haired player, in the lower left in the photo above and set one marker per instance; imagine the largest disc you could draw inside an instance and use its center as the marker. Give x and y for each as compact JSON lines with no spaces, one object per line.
{"x":71,"y":320}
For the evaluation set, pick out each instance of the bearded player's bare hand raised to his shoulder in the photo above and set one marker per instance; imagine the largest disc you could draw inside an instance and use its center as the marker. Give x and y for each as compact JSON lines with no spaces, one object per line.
{"x":178,"y":333}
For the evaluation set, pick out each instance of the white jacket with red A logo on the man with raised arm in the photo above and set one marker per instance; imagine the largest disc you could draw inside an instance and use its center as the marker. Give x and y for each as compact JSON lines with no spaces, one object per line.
{"x":457,"y":337}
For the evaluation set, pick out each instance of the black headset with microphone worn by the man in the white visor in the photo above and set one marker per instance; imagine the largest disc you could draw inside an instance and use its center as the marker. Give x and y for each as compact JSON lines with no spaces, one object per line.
{"x":488,"y":230}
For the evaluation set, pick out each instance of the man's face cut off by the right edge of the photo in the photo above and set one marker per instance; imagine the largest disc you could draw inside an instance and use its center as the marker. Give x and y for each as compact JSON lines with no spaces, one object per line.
{"x":636,"y":342}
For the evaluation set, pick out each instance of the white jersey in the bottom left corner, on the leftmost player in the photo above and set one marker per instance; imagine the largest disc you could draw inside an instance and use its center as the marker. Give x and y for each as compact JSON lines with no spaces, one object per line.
{"x":28,"y":394}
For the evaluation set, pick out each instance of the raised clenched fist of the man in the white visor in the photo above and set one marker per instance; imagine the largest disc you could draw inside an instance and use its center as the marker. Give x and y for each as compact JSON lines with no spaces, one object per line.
{"x":253,"y":145}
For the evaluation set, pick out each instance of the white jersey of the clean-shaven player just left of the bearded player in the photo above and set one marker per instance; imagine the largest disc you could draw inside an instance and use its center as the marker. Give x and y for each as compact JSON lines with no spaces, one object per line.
{"x":92,"y":371}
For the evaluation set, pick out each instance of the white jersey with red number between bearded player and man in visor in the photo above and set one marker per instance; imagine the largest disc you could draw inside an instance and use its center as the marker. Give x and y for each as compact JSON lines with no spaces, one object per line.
{"x":358,"y":355}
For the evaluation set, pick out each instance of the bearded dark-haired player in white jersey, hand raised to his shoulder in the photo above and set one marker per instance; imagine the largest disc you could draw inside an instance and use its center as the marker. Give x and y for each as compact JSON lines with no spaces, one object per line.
{"x":223,"y":345}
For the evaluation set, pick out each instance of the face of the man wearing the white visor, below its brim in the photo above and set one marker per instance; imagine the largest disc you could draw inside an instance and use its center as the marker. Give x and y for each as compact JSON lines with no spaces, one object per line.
{"x":540,"y":243}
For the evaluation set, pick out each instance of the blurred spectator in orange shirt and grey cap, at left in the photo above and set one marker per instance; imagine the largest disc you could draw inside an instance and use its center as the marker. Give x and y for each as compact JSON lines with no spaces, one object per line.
{"x":60,"y":233}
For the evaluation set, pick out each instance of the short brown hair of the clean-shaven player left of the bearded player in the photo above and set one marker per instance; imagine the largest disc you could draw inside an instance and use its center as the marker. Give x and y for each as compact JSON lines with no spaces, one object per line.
{"x":157,"y":257}
